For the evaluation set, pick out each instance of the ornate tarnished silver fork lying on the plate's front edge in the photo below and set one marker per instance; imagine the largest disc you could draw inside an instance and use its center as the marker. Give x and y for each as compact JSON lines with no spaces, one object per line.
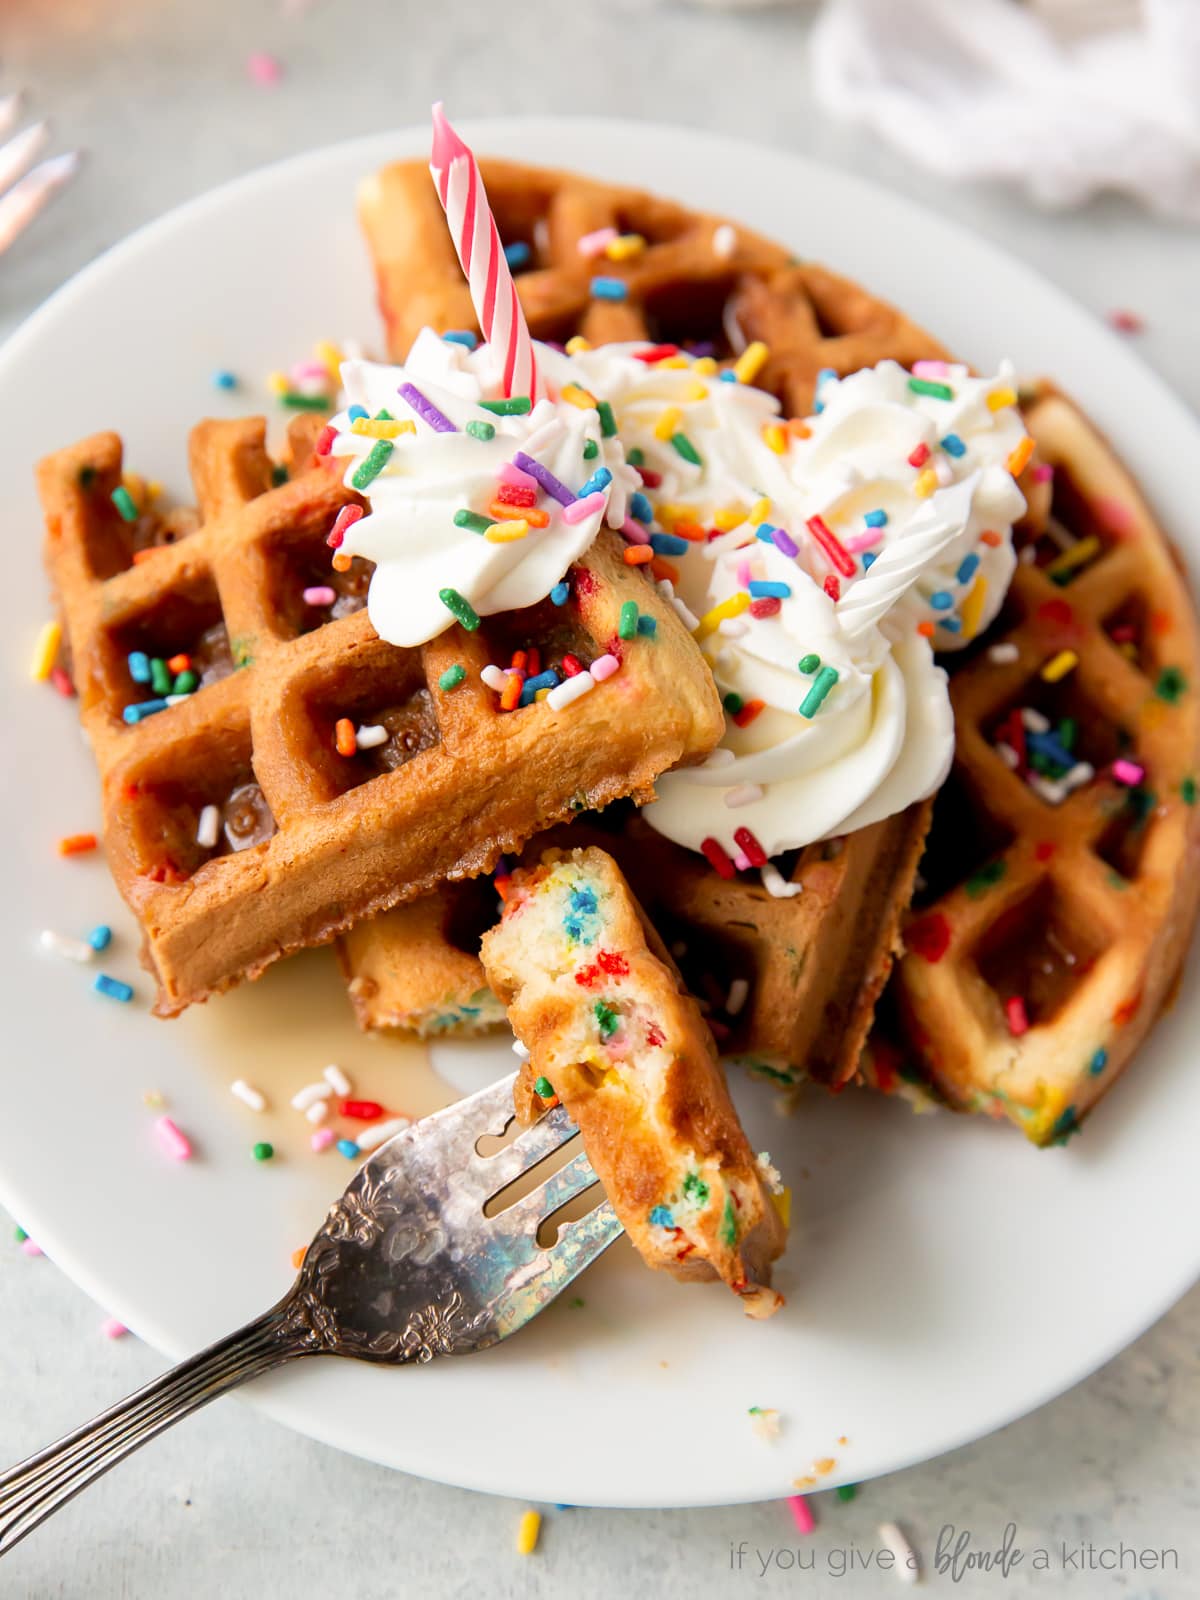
{"x":404,"y":1268}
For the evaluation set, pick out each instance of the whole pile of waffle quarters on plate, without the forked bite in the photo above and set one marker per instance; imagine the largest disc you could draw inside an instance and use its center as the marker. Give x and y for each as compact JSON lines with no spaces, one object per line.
{"x":1060,"y":886}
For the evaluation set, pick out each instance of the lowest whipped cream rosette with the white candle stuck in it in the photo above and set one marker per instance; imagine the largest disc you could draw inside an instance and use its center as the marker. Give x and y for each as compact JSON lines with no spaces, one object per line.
{"x":852,"y":718}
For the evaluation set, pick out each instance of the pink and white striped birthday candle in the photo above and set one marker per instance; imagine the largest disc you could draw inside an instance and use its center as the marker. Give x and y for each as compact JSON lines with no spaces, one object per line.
{"x":478,"y":242}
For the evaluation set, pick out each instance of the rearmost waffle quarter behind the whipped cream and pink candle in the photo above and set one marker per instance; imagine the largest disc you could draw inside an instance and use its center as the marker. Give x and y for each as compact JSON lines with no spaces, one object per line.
{"x":681,"y":289}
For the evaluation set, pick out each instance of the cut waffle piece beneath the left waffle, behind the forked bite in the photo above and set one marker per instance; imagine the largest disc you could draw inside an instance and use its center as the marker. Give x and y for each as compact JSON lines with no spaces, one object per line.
{"x":788,"y":983}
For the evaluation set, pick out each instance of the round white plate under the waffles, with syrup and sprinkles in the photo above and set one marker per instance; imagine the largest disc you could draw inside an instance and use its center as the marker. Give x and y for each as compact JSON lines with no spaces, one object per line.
{"x":943,"y":1276}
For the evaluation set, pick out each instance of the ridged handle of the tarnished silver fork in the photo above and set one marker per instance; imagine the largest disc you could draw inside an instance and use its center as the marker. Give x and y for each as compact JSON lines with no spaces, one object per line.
{"x":38,"y":1487}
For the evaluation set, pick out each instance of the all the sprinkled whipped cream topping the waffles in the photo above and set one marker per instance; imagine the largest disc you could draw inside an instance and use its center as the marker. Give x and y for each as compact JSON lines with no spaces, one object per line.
{"x":820,"y":564}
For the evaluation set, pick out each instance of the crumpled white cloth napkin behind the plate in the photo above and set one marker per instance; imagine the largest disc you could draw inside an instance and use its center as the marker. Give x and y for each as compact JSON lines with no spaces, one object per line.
{"x":985,"y":89}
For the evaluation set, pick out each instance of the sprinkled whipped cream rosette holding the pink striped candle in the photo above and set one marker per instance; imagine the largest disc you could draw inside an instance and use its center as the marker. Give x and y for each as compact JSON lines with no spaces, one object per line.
{"x":471,"y":497}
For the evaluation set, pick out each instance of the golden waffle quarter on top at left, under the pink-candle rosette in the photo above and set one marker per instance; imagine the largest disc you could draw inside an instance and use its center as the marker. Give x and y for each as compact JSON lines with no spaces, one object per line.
{"x":454,"y":785}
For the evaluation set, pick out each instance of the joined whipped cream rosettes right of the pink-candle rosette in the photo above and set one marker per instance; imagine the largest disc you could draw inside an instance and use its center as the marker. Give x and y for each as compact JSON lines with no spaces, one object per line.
{"x":838,"y":713}
